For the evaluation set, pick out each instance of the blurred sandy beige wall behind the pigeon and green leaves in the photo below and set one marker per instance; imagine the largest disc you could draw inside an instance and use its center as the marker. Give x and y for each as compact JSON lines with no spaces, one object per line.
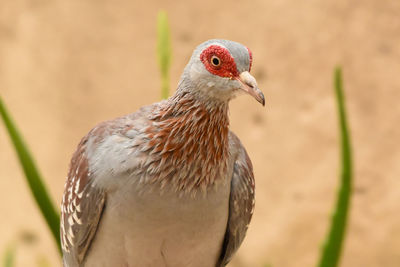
{"x":66,"y":65}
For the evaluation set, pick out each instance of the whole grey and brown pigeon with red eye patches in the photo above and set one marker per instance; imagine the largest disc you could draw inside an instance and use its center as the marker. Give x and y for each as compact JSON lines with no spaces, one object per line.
{"x":170,"y":184}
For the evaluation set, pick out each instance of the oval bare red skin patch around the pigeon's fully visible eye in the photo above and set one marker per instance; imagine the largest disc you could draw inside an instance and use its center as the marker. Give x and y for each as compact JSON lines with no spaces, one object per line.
{"x":226,"y":69}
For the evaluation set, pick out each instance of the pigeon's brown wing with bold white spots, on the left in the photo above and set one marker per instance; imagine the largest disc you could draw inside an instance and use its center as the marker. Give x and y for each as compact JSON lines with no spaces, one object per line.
{"x":81,"y":209}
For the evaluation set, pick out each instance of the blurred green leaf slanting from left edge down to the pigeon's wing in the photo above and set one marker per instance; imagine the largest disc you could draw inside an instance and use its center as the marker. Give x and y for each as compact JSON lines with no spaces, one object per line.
{"x":32,"y":176}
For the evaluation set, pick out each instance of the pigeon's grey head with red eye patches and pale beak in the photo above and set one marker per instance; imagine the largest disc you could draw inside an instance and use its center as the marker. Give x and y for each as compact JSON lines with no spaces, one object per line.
{"x":220,"y":70}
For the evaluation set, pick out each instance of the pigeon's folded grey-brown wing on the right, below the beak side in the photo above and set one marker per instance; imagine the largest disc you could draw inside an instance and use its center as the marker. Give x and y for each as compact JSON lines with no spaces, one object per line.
{"x":241,"y":205}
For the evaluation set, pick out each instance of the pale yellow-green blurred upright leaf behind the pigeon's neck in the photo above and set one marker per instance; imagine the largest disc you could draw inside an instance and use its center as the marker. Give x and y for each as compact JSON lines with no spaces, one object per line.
{"x":163,"y":51}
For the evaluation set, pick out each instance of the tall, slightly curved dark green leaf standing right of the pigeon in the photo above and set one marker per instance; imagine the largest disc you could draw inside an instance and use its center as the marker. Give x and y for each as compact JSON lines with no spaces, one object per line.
{"x":333,"y":245}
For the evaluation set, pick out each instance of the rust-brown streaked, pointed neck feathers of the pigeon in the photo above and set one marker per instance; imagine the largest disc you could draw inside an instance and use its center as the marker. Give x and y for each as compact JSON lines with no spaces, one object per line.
{"x":192,"y":137}
